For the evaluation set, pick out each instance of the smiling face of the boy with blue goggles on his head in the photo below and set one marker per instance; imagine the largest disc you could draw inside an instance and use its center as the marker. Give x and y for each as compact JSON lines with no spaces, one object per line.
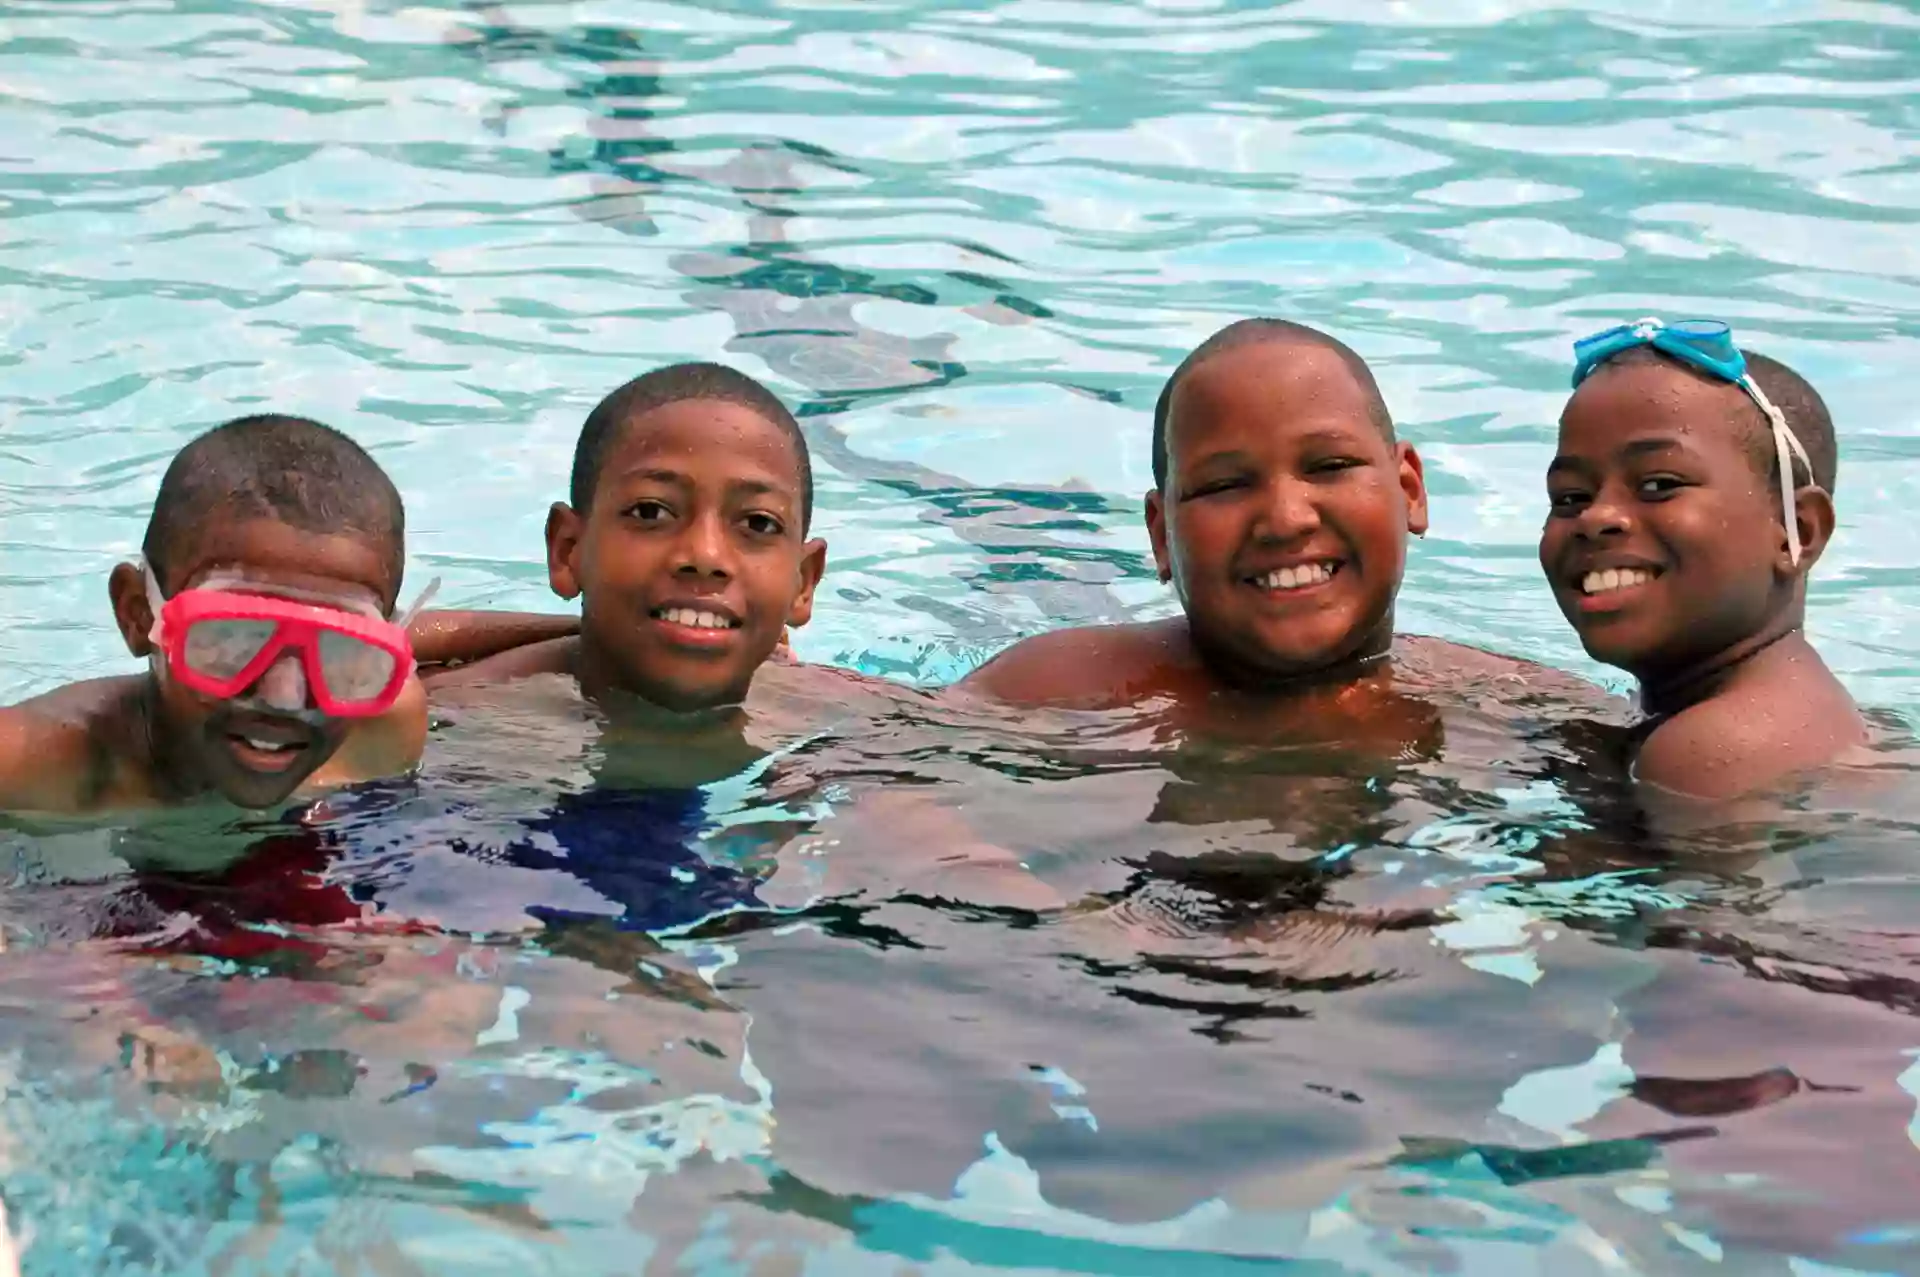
{"x":1664,"y":541}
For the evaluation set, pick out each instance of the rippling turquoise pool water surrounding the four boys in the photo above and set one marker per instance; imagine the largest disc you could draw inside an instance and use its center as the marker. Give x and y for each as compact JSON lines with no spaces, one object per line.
{"x":1337,"y":1015}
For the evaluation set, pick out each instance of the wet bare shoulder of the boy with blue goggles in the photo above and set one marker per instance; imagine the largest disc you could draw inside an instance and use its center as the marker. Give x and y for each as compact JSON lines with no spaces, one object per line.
{"x":1754,"y":736}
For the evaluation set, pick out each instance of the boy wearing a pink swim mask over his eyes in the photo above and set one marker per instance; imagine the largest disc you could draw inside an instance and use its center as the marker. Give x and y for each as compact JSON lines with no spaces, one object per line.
{"x":274,"y":562}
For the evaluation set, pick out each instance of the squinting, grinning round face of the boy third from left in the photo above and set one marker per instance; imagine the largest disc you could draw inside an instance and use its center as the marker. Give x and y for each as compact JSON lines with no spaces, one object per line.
{"x":1285,"y":516}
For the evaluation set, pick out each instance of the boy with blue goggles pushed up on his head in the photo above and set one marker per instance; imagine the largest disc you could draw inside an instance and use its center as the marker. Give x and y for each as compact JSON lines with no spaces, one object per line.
{"x":1691,"y":498}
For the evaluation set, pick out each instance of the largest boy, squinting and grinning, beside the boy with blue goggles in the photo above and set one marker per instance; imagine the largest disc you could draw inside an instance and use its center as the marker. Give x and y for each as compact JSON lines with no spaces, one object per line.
{"x":1280,"y":514}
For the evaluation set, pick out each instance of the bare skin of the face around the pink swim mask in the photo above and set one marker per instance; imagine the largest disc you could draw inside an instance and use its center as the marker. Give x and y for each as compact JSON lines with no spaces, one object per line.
{"x":260,"y":746}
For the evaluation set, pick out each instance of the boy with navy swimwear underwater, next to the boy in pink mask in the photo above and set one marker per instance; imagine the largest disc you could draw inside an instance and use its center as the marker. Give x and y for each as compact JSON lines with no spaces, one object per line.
{"x":686,"y":542}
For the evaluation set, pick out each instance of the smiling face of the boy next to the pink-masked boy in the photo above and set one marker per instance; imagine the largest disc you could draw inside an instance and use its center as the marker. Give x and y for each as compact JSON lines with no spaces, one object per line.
{"x":692,"y":558}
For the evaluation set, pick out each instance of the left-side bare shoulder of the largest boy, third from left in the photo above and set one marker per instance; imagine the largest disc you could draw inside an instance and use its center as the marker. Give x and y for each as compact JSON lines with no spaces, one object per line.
{"x":1086,"y":667}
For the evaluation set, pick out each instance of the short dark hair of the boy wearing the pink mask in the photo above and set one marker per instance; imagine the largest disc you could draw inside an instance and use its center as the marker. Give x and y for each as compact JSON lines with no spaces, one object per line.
{"x":289,"y":470}
